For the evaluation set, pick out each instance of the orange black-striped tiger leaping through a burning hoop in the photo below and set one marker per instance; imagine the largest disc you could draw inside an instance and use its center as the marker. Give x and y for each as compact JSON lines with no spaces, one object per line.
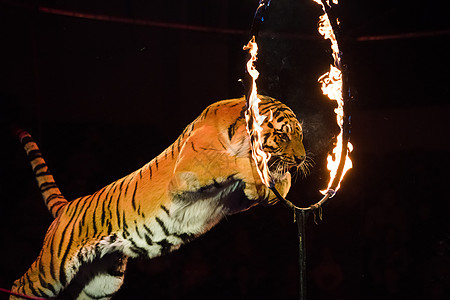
{"x":207,"y":174}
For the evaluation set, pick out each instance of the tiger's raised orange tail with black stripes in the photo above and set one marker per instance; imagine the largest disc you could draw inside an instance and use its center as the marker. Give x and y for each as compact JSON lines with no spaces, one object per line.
{"x":53,"y":198}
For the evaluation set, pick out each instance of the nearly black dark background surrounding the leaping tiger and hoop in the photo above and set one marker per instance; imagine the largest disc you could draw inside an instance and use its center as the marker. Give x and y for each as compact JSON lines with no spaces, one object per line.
{"x":103,"y":97}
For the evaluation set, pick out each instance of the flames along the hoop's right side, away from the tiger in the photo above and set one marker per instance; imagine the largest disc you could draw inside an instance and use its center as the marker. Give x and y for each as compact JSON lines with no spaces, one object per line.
{"x":332,"y":87}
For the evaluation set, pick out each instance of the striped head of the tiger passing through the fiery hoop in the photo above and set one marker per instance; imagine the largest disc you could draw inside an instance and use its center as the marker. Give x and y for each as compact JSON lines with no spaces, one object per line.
{"x":282,"y":138}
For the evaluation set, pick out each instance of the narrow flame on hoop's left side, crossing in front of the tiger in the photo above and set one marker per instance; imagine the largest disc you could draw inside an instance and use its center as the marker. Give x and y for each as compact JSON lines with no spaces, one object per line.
{"x":254,"y":120}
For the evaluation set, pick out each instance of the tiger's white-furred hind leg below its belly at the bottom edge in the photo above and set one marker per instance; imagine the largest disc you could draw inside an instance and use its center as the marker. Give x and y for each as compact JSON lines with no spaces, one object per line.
{"x":100,"y":279}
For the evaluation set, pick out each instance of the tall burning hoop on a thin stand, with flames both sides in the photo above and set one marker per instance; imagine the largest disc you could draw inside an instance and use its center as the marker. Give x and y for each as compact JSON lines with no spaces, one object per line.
{"x":335,"y":86}
